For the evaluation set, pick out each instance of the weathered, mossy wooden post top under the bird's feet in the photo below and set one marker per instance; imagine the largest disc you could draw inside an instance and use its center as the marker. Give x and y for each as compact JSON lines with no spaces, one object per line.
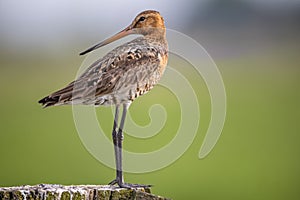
{"x":75,"y":192}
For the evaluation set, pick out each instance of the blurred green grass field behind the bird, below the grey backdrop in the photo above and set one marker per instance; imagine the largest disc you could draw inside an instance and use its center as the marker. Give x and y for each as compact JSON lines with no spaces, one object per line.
{"x":255,"y":158}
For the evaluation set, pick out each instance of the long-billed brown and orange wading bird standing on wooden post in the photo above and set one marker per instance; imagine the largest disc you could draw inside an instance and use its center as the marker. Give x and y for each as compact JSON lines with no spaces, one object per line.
{"x":121,"y":76}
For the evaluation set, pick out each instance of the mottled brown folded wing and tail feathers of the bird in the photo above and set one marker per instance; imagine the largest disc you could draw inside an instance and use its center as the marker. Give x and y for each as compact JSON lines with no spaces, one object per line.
{"x":124,"y":68}
